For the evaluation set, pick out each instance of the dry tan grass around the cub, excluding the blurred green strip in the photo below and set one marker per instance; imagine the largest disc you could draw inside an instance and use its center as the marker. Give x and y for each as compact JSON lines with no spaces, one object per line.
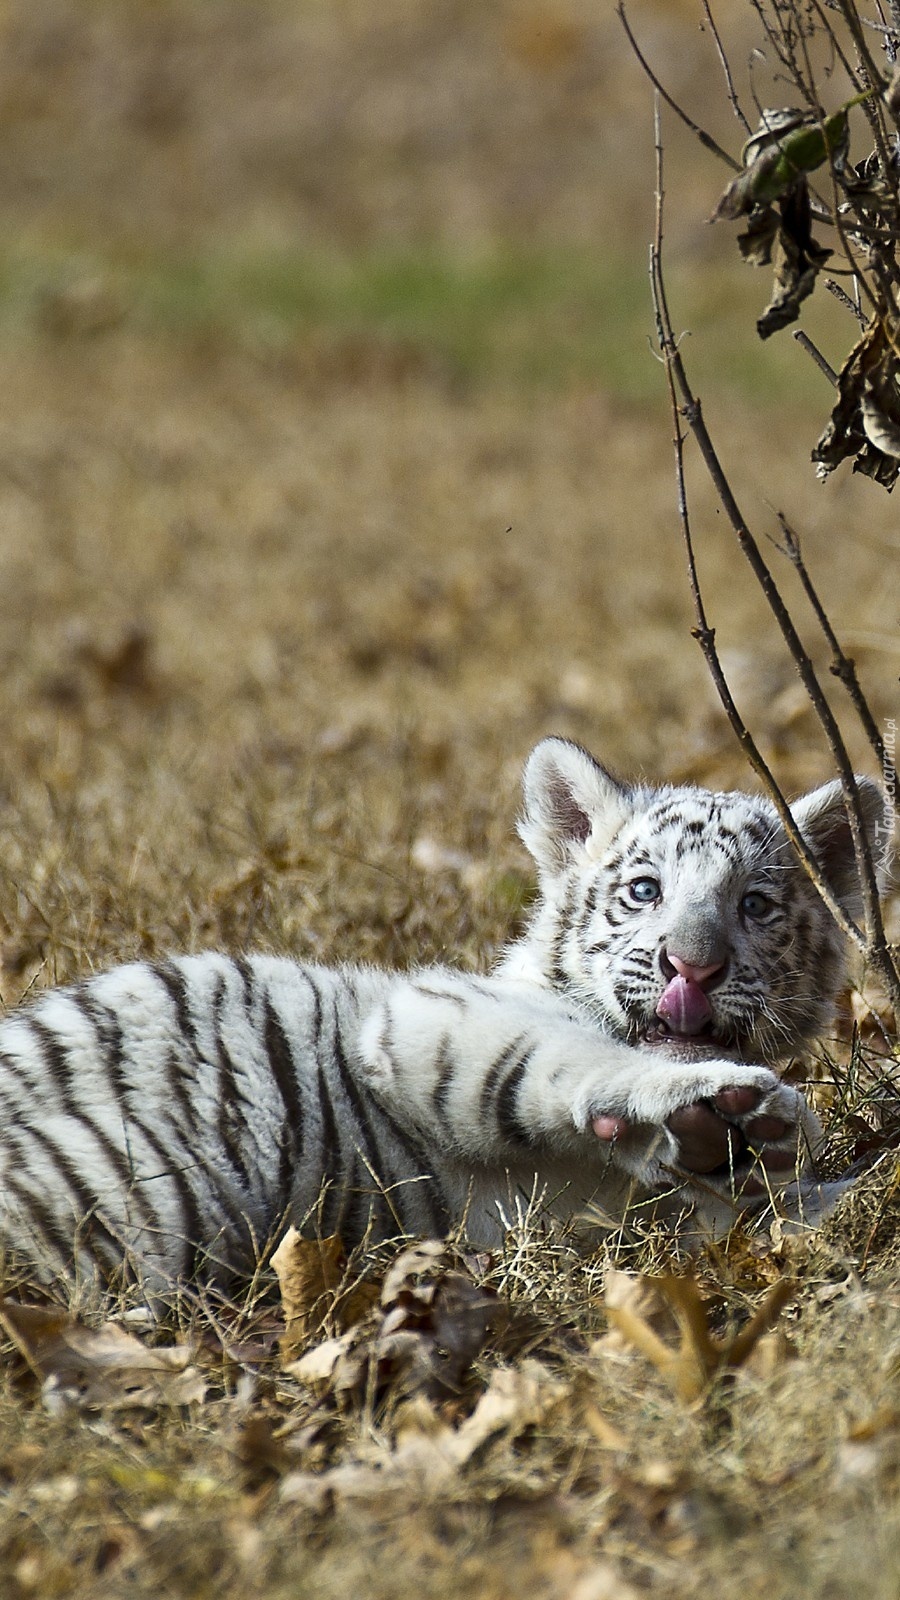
{"x":279,"y":623}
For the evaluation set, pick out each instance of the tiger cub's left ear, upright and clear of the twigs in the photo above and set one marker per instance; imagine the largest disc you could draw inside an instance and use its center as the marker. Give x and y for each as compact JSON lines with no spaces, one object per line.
{"x":573,"y":806}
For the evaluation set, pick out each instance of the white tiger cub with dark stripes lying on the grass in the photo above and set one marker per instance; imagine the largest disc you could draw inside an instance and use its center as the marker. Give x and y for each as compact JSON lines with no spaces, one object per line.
{"x":164,"y":1119}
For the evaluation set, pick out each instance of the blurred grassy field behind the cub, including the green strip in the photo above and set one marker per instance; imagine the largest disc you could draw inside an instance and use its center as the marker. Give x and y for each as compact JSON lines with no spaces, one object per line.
{"x":335,"y":462}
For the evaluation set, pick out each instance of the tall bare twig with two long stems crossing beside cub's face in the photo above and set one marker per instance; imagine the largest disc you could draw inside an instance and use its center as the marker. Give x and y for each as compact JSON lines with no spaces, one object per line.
{"x":874,"y":943}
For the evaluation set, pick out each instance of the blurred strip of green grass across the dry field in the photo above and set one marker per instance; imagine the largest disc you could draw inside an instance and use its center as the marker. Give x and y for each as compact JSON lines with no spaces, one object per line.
{"x":518,"y":318}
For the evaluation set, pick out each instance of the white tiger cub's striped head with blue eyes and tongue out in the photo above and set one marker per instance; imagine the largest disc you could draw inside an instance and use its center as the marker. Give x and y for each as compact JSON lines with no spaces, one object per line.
{"x":683,"y":918}
